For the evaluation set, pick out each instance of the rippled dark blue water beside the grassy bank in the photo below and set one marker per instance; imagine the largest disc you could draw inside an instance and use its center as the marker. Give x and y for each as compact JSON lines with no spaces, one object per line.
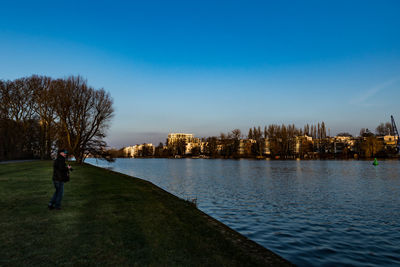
{"x":313,"y":213}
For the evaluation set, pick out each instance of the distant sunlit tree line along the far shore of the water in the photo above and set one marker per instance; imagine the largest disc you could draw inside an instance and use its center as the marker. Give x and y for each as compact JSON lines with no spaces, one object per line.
{"x":280,"y":141}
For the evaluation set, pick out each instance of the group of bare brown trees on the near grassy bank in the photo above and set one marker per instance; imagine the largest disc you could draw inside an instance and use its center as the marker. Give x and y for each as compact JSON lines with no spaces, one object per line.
{"x":39,"y":114}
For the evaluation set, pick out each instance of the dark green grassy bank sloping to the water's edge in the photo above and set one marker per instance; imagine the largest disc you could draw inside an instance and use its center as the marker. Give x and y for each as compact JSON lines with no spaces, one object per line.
{"x":111,"y":219}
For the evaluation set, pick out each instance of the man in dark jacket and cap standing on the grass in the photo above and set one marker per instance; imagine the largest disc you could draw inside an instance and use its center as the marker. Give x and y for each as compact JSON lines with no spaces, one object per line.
{"x":60,"y":176}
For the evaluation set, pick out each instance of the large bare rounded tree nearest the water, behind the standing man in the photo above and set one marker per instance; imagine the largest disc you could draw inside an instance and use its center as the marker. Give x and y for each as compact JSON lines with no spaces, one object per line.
{"x":84,"y":114}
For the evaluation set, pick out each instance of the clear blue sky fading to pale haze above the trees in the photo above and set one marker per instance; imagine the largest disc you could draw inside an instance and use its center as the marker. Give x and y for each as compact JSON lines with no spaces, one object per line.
{"x":206,"y":67}
